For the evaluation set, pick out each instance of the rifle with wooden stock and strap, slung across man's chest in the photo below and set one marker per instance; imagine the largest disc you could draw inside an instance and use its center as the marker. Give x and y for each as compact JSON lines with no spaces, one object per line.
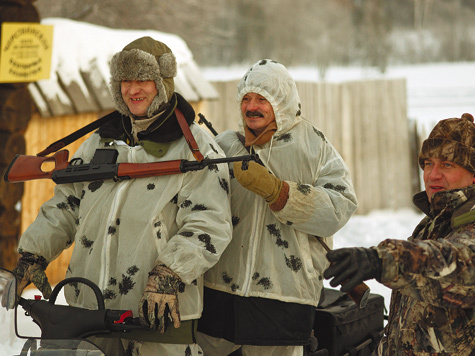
{"x":103,"y":164}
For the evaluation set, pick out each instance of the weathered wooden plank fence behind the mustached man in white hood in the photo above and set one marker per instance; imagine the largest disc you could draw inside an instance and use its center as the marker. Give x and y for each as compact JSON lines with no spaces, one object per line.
{"x":367,"y":123}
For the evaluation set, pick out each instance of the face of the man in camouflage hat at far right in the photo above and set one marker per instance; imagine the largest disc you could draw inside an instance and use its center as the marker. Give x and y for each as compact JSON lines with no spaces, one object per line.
{"x":442,"y":175}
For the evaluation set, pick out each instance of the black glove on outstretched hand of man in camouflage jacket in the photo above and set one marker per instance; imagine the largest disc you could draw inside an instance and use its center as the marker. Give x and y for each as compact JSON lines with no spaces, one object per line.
{"x":351,"y":266}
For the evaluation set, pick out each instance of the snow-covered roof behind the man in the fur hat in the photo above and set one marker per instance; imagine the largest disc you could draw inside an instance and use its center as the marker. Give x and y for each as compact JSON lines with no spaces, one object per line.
{"x":80,"y":68}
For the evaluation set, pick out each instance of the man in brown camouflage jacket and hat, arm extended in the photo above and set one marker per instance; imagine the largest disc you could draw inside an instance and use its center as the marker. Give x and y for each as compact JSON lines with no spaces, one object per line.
{"x":432,"y":275}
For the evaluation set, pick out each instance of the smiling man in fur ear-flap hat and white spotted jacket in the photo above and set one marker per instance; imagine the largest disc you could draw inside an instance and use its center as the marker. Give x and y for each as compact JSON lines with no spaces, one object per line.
{"x":145,"y":242}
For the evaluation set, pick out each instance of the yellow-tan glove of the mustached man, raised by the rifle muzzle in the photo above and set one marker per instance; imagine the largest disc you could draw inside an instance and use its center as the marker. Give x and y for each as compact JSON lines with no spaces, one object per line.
{"x":259,"y":180}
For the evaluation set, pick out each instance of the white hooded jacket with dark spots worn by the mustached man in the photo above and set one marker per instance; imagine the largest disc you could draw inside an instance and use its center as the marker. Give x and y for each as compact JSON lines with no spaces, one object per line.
{"x":275,"y":254}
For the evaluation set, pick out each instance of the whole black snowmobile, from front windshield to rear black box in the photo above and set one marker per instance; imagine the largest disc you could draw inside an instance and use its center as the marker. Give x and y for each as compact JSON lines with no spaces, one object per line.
{"x":342,"y":328}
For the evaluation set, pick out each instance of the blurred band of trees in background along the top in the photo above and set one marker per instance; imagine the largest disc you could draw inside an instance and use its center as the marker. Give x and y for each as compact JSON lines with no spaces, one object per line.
{"x":311,"y":32}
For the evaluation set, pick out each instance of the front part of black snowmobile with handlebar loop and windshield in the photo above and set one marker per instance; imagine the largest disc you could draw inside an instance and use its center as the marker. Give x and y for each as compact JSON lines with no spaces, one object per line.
{"x":64,"y":328}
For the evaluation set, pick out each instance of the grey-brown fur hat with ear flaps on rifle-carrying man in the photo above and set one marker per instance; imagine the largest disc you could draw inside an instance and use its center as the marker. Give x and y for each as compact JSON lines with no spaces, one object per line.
{"x":144,"y":59}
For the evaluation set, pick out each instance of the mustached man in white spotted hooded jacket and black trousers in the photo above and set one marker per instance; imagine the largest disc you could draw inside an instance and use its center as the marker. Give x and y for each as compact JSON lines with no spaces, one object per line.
{"x":262,"y":294}
